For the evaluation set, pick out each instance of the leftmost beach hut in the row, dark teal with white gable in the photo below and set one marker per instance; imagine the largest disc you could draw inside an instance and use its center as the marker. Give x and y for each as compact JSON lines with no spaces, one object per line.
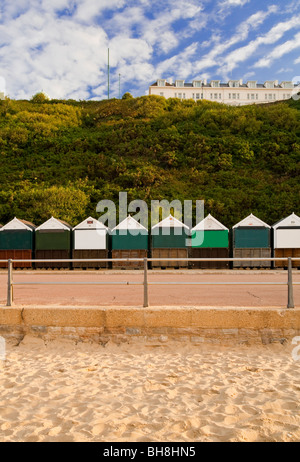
{"x":17,"y":242}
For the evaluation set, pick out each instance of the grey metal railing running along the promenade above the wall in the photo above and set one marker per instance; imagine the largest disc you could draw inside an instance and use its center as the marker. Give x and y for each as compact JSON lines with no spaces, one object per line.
{"x":146,"y":283}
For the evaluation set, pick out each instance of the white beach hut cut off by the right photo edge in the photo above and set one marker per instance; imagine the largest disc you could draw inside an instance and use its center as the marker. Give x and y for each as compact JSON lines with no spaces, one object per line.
{"x":286,"y":240}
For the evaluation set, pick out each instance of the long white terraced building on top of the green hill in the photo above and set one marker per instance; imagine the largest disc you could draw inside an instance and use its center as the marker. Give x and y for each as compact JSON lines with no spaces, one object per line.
{"x":235,"y":92}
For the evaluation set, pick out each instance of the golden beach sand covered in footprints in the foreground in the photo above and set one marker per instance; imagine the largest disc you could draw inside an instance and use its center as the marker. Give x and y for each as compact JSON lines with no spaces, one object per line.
{"x":63,"y":392}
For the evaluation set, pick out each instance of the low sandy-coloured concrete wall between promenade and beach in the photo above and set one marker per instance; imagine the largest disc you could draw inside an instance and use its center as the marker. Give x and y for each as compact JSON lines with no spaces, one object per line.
{"x":156,"y":325}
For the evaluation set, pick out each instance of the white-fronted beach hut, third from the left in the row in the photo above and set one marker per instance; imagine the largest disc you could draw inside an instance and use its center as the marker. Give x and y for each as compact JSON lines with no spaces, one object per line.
{"x":90,"y":241}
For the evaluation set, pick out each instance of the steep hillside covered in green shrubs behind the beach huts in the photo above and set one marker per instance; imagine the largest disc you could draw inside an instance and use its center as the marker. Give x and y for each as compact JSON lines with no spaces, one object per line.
{"x":61,"y":157}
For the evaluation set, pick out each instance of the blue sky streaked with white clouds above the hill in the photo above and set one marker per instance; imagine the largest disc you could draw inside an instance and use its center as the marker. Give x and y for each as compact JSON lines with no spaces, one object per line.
{"x":61,"y":47}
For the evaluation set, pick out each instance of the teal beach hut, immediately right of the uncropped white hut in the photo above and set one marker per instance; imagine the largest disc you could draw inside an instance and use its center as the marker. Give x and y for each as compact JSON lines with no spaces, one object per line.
{"x":129,"y":239}
